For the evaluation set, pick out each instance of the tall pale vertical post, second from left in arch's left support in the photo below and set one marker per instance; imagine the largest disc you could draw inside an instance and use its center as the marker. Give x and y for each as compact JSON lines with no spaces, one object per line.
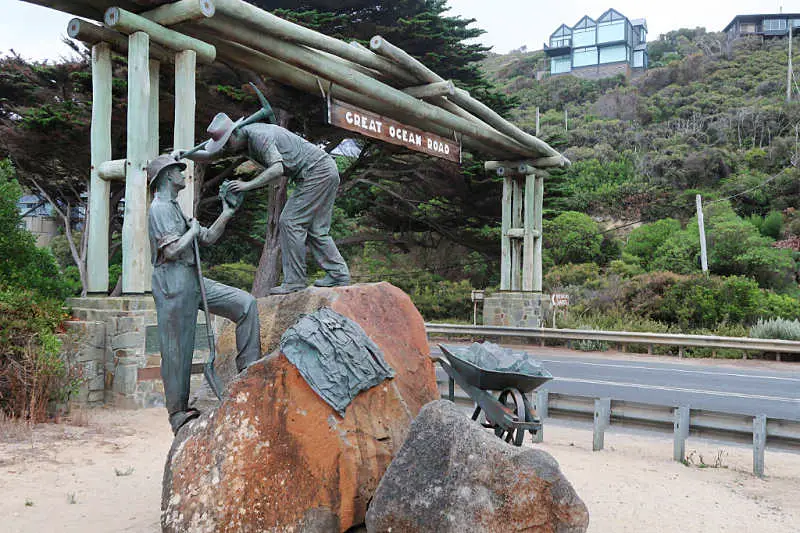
{"x":134,"y":227}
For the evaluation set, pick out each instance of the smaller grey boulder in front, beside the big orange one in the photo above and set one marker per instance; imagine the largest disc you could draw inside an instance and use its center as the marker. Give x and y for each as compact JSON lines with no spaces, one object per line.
{"x":451,"y":475}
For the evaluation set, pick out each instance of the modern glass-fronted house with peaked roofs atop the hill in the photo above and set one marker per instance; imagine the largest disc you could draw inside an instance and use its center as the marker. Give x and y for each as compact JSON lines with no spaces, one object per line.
{"x":613,"y":44}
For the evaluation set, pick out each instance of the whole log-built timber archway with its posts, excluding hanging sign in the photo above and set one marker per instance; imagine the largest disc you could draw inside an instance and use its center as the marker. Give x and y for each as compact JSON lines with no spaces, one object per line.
{"x":381,"y":78}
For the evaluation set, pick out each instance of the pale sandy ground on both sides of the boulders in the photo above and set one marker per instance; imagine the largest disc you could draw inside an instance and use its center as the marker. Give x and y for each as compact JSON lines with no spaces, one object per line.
{"x":105,"y":476}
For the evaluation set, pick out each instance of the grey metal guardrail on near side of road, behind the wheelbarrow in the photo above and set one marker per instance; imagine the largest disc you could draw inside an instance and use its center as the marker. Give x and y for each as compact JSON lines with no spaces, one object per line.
{"x":682,"y":420}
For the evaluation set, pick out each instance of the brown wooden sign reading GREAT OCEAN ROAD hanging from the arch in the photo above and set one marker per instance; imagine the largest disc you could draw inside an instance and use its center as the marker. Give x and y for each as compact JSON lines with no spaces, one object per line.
{"x":366,"y":123}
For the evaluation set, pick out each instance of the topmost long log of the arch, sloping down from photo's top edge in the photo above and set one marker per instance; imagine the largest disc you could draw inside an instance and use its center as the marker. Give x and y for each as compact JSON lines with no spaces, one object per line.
{"x":251,"y":15}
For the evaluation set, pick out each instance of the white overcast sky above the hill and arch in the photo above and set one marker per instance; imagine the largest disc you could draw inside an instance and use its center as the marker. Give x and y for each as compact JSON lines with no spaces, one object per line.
{"x":35,"y":32}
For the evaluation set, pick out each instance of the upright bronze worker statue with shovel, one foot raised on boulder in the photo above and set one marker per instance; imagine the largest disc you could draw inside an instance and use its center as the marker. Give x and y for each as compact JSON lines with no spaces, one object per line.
{"x":176,"y":288}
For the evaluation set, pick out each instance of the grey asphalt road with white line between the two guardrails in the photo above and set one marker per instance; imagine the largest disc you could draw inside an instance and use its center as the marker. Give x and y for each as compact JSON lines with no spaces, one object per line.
{"x":738,"y":388}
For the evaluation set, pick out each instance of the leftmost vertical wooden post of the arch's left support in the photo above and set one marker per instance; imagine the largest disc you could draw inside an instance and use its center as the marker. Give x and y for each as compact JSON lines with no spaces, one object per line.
{"x":99,"y":189}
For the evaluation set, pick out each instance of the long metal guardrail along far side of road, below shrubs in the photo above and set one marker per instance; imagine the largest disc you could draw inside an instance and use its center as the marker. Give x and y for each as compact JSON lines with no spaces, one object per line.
{"x":621,"y":337}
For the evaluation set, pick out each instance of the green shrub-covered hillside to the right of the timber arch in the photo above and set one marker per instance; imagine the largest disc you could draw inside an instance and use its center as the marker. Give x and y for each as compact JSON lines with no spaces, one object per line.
{"x":623,"y":234}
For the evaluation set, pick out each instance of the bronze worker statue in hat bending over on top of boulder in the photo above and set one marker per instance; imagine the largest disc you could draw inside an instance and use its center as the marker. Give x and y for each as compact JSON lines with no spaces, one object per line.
{"x":306,"y":218}
